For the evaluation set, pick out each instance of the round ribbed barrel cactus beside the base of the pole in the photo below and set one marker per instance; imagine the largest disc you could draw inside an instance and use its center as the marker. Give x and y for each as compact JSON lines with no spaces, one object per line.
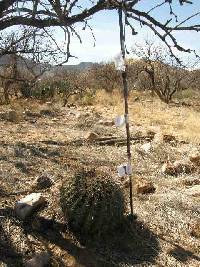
{"x":92,"y":204}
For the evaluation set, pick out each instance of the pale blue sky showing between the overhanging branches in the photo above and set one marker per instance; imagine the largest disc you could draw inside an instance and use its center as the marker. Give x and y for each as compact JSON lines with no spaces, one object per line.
{"x":106,"y":31}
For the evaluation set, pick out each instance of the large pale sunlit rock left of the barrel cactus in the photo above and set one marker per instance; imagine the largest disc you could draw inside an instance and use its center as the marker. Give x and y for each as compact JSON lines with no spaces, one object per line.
{"x":27,"y":205}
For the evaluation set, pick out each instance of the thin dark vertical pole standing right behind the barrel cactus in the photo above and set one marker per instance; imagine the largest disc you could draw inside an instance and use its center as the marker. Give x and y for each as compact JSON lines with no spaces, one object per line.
{"x":125,"y":86}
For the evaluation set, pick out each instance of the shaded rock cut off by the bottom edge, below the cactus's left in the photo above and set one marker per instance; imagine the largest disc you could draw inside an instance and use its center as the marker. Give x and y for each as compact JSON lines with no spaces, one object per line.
{"x":39,"y":260}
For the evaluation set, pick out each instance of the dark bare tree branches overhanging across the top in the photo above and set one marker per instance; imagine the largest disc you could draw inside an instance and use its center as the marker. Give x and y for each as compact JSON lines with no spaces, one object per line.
{"x":44,"y":14}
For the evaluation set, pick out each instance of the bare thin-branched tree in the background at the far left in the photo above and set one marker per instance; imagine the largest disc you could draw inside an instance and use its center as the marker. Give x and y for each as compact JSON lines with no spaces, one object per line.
{"x":25,"y":55}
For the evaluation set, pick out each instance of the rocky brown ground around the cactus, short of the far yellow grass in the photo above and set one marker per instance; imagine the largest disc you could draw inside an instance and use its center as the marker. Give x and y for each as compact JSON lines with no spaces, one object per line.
{"x":54,"y":143}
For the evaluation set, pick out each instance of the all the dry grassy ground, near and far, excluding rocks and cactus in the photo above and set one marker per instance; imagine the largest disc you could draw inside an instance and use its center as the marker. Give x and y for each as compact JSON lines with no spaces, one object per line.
{"x":161,"y":236}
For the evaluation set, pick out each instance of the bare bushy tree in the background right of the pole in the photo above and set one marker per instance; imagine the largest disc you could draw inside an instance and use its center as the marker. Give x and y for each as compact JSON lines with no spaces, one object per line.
{"x":159,"y":72}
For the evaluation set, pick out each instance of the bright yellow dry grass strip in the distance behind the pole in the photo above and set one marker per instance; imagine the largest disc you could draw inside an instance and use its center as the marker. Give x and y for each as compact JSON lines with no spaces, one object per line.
{"x":181,"y":121}
